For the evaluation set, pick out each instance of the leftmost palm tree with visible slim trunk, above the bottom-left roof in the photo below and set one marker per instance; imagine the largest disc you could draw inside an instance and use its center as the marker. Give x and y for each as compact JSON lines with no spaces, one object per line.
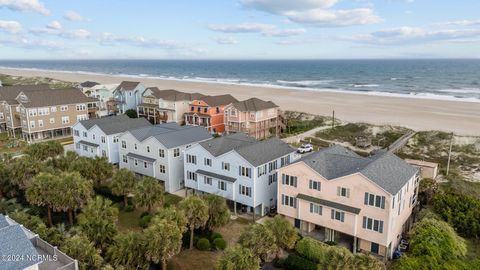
{"x":42,"y":192}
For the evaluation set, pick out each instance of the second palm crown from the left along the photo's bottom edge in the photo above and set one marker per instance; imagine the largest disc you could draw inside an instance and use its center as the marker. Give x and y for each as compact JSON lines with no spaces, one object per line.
{"x":128,"y":251}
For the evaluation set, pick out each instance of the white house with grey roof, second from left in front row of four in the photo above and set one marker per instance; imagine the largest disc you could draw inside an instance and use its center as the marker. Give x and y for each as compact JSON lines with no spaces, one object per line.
{"x":157,"y":151}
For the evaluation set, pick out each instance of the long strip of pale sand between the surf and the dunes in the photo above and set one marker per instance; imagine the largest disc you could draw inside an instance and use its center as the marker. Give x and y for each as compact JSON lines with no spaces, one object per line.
{"x":463,"y":118}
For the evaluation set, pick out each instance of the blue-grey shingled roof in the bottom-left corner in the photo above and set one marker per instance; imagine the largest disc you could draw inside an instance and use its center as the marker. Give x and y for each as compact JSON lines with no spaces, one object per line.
{"x":16,"y":243}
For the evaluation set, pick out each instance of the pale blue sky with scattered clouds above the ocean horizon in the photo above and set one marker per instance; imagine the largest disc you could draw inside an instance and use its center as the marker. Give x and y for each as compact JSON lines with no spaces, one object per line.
{"x":239,"y":29}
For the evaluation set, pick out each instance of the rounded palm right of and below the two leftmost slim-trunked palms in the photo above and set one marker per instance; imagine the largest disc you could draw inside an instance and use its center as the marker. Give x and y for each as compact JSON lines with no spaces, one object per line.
{"x":98,"y":221}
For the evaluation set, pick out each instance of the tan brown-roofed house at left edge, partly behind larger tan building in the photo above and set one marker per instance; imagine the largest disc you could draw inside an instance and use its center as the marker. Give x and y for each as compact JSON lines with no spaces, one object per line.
{"x":9,"y":110}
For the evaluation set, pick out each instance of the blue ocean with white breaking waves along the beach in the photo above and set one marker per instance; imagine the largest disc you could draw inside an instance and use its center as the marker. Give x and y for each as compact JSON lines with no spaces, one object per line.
{"x":433,"y":79}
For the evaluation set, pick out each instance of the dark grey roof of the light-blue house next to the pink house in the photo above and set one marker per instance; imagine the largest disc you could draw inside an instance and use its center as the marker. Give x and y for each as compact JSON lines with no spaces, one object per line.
{"x":255,"y":152}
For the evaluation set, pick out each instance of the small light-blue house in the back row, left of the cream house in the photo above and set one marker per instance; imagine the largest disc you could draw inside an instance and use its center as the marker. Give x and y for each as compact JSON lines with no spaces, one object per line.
{"x":128,"y":95}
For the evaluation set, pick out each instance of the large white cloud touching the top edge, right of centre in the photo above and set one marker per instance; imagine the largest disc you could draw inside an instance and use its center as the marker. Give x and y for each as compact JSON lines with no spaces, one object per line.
{"x":315,"y":12}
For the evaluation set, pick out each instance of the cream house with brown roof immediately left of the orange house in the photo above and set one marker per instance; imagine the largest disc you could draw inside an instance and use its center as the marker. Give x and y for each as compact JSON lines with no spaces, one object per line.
{"x":163,"y":106}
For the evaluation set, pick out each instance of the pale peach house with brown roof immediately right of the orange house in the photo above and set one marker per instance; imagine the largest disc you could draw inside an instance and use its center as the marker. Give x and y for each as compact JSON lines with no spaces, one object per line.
{"x":255,"y":117}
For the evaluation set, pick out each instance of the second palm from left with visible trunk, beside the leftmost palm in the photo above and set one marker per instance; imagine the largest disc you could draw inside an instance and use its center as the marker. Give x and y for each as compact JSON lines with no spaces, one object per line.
{"x":74,"y":194}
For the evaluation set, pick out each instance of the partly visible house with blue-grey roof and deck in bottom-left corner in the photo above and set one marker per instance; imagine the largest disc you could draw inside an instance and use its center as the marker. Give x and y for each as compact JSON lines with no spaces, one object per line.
{"x":21,"y":249}
